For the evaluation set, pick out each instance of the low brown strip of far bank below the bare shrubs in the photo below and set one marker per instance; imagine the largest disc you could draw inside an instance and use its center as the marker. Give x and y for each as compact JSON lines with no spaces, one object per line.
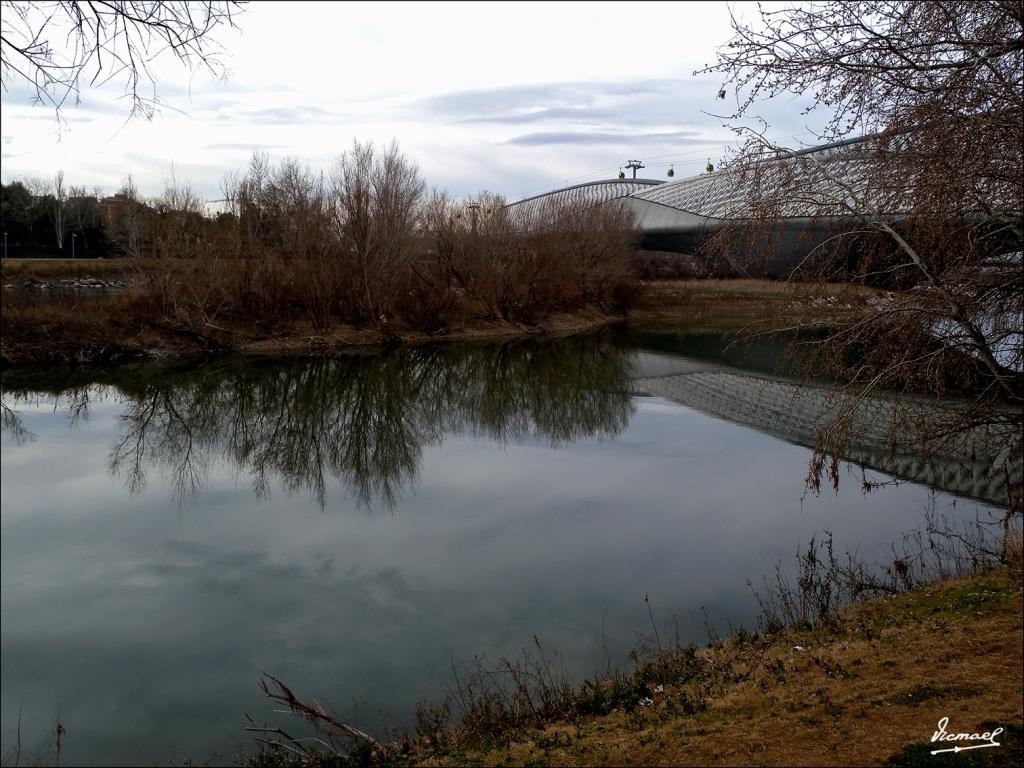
{"x":60,"y":311}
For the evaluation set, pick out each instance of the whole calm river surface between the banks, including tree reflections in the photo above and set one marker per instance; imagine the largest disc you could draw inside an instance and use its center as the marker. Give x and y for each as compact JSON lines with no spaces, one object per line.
{"x":358,"y":526}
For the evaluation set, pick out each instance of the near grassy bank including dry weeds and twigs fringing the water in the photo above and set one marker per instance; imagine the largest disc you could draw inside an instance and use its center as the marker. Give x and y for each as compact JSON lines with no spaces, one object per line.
{"x":831,"y":678}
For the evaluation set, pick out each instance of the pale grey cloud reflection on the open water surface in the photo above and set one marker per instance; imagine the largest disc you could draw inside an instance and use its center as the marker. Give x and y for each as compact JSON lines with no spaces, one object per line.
{"x":166,"y":611}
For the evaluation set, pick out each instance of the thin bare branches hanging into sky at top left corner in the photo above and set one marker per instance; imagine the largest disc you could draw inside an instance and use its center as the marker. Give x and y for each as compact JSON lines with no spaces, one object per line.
{"x":56,"y":47}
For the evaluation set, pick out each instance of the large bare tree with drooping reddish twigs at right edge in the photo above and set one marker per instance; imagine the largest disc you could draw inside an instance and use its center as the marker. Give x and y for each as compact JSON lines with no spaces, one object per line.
{"x":928,"y":203}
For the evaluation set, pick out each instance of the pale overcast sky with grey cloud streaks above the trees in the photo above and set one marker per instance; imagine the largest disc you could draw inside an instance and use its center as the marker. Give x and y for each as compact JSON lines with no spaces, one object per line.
{"x":518,"y":99}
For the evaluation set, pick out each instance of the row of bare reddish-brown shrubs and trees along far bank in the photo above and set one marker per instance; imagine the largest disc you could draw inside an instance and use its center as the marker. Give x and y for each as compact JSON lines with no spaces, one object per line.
{"x":365,"y":243}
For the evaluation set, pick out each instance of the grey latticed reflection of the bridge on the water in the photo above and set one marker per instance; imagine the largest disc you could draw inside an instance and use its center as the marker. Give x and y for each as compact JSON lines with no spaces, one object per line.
{"x":976,"y":467}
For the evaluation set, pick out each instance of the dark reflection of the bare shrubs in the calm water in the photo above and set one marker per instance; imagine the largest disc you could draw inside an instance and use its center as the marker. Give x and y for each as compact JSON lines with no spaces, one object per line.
{"x":365,"y":420}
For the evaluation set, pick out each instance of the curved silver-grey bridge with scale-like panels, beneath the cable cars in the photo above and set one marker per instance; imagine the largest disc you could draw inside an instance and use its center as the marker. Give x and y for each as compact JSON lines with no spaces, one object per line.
{"x":678,"y":216}
